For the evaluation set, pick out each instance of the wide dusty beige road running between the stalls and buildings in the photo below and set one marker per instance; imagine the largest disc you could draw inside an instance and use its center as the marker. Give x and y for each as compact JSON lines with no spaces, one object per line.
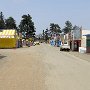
{"x":42,"y":68}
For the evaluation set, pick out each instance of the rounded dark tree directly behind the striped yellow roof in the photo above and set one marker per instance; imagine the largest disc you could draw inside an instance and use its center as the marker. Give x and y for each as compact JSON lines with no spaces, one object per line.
{"x":10,"y":23}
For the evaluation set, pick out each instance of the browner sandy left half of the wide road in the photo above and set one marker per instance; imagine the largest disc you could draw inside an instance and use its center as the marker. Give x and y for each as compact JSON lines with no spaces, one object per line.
{"x":21,"y":69}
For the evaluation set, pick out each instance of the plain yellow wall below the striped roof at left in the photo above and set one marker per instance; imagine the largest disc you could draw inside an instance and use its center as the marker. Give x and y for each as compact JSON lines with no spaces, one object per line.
{"x":7,"y":42}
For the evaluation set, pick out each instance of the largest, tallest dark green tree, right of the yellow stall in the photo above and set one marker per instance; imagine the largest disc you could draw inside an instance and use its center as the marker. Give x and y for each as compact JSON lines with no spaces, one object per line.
{"x":27,"y":26}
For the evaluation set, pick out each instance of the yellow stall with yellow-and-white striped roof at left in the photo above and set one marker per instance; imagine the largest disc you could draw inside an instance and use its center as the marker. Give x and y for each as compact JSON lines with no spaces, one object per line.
{"x":8,"y":38}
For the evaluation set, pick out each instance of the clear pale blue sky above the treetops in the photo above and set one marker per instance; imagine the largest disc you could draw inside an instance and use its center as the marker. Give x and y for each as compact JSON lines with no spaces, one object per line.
{"x":44,"y":12}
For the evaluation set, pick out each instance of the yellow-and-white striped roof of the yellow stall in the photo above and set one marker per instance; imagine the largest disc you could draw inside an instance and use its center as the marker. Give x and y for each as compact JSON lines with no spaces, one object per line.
{"x":7,"y":33}
